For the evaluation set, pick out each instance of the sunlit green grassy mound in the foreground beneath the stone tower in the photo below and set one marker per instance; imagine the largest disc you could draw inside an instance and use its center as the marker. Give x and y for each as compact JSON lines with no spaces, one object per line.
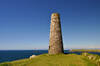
{"x":52,"y":60}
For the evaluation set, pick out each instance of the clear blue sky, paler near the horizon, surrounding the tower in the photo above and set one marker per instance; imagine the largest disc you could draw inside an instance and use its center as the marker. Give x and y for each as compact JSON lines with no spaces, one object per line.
{"x":25,"y":24}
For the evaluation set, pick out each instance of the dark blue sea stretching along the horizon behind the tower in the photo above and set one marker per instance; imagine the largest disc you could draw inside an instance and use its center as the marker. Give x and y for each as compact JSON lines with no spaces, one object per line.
{"x":11,"y":55}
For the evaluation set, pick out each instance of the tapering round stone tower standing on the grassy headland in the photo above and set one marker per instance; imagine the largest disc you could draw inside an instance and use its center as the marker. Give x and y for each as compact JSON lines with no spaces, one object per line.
{"x":55,"y":42}
